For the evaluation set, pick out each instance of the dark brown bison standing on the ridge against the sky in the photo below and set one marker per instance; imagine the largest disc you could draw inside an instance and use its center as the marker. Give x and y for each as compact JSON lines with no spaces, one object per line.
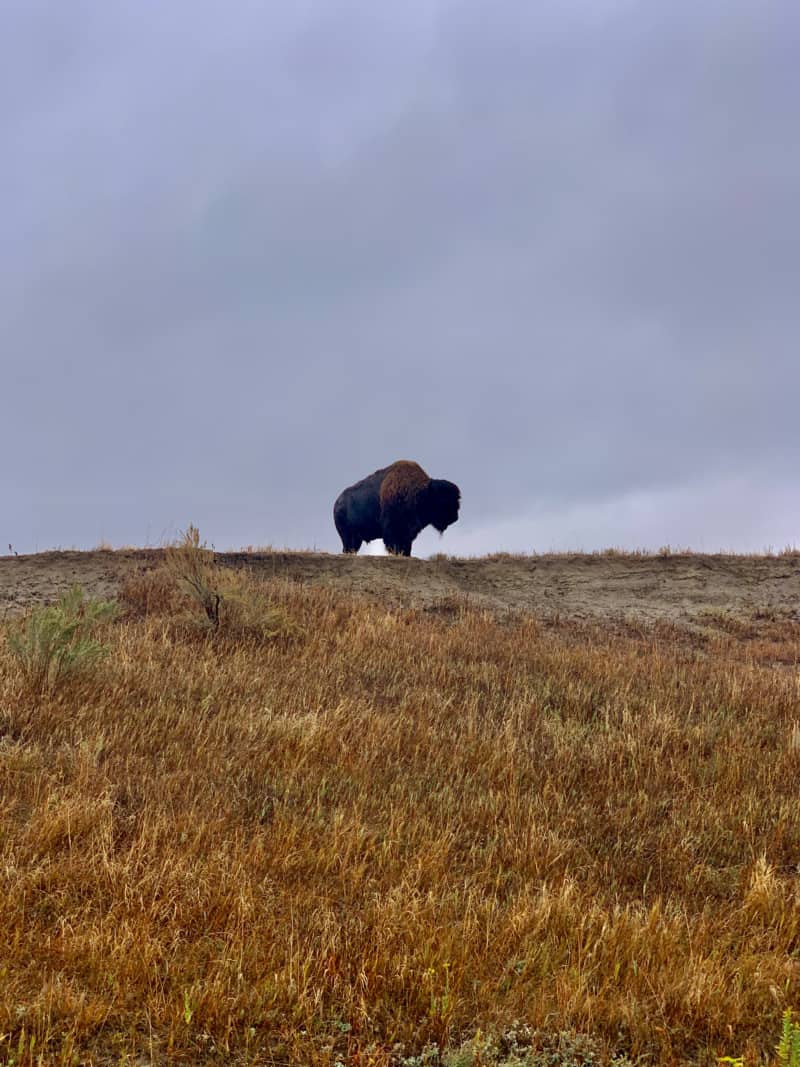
{"x":395,"y":503}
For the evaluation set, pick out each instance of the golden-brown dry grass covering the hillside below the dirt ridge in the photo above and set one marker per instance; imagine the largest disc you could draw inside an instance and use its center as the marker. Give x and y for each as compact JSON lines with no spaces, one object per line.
{"x":395,"y":827}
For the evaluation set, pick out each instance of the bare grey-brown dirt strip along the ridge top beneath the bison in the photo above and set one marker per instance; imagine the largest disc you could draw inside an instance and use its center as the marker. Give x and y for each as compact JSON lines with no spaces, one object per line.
{"x":675,"y":588}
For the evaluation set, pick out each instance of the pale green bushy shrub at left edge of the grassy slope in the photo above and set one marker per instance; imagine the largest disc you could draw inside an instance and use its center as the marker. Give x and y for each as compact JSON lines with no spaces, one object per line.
{"x":55,"y":643}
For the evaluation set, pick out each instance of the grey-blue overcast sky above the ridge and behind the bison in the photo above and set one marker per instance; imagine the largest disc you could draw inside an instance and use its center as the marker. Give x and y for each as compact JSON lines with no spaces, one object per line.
{"x":250,"y":252}
